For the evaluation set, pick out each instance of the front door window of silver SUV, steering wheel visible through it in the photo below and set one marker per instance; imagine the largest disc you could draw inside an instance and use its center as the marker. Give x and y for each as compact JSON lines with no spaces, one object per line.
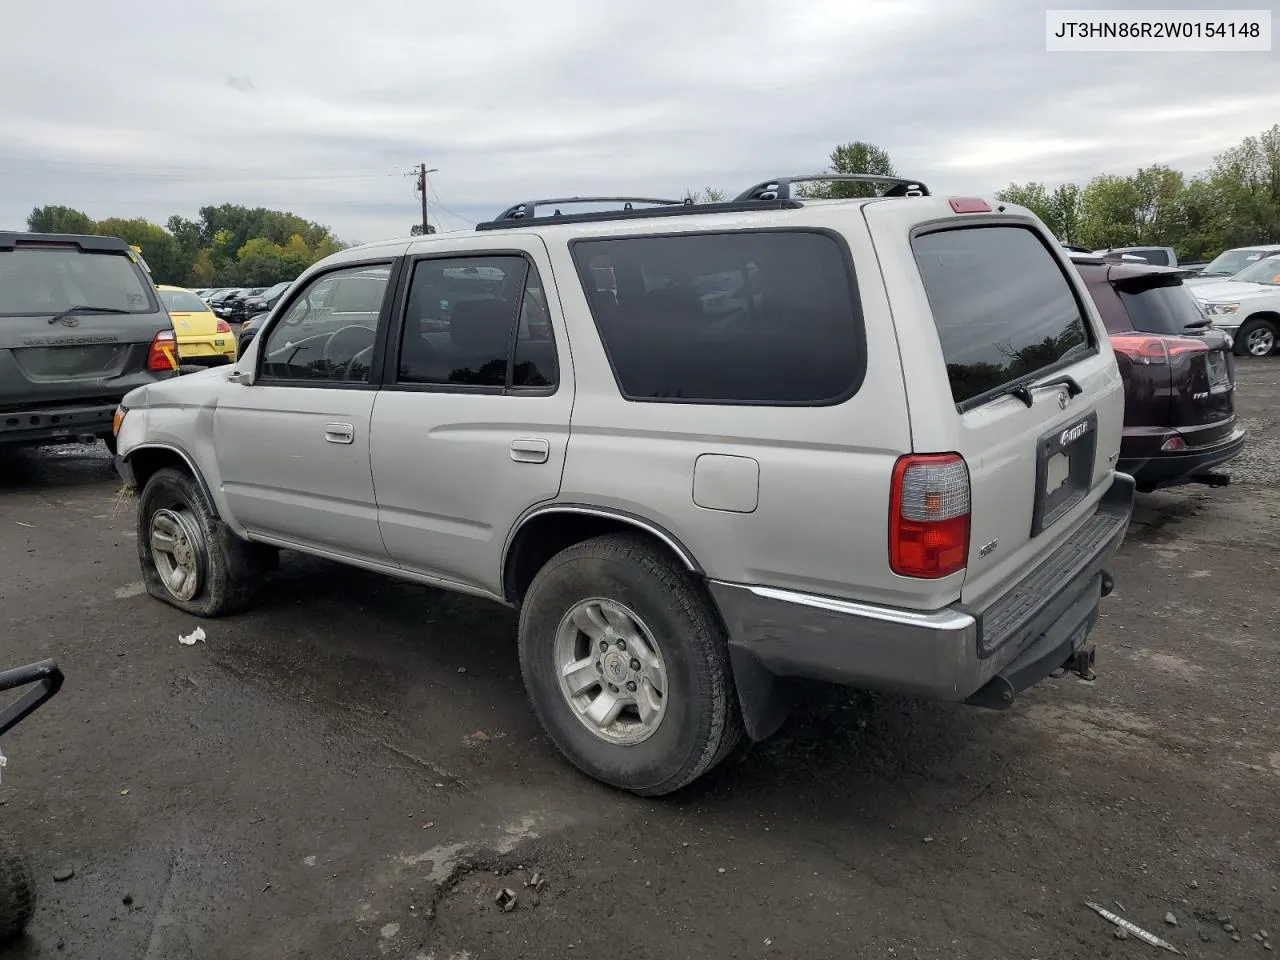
{"x":328,"y":332}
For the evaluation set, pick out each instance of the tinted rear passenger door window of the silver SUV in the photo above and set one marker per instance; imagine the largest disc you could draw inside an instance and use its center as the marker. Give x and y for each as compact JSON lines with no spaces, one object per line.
{"x":478,"y":322}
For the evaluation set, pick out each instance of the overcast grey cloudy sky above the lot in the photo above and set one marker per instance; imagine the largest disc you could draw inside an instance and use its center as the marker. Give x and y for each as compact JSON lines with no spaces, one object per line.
{"x":147,"y":108}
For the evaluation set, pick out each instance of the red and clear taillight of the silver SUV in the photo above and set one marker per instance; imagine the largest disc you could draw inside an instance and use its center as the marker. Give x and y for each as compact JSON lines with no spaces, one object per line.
{"x":929,"y":524}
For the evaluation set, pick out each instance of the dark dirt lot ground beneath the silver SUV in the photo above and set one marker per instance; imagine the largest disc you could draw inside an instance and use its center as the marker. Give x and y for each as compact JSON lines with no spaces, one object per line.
{"x":353,"y":771}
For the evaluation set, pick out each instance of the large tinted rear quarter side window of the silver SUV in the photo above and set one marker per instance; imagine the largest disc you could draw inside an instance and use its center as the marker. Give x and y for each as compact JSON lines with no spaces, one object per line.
{"x":729,"y":318}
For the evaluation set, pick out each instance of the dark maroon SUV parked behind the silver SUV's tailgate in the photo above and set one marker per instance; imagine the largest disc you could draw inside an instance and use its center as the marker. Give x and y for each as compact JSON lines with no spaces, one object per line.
{"x":1180,"y":374}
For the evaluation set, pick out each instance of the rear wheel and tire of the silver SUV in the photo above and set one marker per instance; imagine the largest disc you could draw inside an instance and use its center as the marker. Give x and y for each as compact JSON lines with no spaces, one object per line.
{"x":627,"y":664}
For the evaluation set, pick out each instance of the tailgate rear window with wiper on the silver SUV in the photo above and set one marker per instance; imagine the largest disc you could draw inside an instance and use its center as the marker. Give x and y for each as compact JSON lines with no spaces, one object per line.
{"x":1003,"y":308}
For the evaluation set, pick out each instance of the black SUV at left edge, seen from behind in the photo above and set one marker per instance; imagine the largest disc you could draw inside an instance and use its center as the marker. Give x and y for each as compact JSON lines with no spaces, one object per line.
{"x":81,"y":326}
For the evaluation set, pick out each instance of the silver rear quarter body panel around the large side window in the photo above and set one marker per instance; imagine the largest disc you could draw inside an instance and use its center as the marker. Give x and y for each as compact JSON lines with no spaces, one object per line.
{"x":821,"y":520}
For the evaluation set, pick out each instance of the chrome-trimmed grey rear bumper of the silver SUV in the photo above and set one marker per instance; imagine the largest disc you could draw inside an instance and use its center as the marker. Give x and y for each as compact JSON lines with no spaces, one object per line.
{"x":958,"y":655}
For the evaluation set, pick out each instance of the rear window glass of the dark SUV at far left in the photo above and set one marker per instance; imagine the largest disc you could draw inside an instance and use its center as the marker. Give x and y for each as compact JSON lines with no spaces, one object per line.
{"x":36,"y":281}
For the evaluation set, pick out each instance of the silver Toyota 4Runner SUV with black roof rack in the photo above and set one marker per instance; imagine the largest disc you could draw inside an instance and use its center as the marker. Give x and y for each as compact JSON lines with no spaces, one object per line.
{"x":702,"y":449}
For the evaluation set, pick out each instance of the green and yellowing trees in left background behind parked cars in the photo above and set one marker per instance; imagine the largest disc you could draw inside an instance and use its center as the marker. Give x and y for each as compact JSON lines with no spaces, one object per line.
{"x":226,"y":246}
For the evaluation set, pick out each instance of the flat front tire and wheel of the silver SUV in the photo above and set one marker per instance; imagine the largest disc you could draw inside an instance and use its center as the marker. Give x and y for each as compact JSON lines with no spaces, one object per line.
{"x":190,"y":559}
